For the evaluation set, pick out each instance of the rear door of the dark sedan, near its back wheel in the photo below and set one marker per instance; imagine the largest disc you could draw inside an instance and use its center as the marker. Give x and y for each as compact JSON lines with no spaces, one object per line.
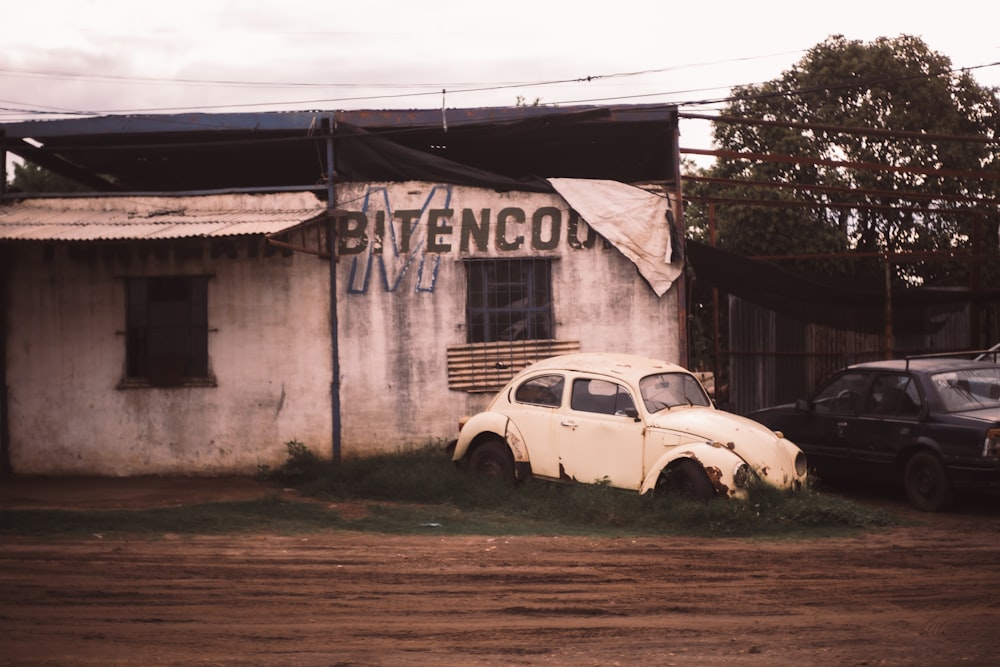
{"x":888,"y":422}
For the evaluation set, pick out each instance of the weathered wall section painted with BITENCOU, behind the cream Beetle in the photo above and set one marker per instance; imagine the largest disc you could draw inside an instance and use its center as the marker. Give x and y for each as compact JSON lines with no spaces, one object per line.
{"x":398,"y":311}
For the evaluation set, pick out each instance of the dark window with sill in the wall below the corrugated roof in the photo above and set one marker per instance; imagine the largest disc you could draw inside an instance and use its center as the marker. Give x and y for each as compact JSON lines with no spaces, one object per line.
{"x":167,"y":331}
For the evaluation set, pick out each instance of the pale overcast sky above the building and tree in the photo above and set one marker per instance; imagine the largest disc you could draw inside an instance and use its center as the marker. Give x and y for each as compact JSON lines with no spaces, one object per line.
{"x":129,"y":56}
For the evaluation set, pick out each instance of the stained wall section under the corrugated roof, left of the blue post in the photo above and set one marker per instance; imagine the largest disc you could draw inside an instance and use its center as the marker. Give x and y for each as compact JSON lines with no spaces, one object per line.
{"x":269,"y":348}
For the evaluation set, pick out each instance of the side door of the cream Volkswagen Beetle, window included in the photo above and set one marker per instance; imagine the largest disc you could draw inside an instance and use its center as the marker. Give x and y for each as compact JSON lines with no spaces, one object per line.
{"x":598,"y":434}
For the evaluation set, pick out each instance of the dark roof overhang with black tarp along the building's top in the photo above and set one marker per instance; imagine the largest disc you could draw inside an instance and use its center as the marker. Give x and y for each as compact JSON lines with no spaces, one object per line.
{"x":504,"y":147}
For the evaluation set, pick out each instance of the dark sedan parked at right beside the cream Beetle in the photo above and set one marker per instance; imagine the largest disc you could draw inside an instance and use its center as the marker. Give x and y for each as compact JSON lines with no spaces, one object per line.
{"x":931,"y":425}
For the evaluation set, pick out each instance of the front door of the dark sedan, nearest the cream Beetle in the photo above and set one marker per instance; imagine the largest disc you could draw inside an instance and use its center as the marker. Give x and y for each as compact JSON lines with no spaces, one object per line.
{"x":822,"y":430}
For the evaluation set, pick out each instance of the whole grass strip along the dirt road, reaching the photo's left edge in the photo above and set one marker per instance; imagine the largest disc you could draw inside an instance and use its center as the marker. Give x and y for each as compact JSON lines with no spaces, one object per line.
{"x":421,"y":492}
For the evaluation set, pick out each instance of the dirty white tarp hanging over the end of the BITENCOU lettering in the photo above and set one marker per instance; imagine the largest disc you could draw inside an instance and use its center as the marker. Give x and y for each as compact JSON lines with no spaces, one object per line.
{"x":630,"y":218}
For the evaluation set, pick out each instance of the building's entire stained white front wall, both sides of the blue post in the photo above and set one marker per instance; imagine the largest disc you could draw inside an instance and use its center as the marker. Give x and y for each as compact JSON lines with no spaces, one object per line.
{"x":269,"y":343}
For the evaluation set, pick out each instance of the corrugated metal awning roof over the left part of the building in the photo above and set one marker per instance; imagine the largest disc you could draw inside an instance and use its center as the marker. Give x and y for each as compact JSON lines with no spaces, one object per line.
{"x":128,"y":218}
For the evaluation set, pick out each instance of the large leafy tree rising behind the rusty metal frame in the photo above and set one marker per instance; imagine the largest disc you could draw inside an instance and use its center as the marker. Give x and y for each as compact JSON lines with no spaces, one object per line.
{"x":894,"y":151}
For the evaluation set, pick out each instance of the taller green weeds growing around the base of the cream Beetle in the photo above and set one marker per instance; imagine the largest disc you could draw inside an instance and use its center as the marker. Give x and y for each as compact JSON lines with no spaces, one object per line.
{"x":427,"y":476}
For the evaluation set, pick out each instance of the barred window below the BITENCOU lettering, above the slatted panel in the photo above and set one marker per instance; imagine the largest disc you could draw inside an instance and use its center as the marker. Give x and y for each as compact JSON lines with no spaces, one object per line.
{"x":509,"y":299}
